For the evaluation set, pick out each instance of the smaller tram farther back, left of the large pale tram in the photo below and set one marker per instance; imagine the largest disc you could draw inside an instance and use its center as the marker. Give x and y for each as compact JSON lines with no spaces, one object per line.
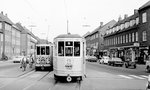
{"x":44,"y":56}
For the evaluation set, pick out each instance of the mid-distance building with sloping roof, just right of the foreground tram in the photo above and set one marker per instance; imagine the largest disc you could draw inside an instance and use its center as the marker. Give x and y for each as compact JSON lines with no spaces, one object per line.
{"x":94,"y":40}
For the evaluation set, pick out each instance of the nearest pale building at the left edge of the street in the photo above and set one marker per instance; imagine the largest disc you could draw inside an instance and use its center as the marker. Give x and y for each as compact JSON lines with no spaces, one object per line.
{"x":10,"y":38}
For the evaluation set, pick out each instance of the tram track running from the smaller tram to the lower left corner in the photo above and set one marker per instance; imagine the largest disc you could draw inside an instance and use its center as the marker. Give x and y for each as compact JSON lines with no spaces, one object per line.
{"x":24,"y":78}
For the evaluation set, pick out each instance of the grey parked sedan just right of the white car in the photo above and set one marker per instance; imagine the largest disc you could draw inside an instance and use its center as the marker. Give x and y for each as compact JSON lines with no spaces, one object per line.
{"x":115,"y":62}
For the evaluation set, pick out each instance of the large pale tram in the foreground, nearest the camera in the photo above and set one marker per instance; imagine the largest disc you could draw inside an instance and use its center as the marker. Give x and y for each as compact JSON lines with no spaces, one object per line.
{"x":69,"y":57}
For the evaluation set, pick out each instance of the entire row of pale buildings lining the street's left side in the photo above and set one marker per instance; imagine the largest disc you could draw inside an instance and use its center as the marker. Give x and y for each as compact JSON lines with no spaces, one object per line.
{"x":14,"y":39}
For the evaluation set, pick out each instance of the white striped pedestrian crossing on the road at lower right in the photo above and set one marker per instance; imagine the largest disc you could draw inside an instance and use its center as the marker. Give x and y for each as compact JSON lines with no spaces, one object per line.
{"x":134,"y":76}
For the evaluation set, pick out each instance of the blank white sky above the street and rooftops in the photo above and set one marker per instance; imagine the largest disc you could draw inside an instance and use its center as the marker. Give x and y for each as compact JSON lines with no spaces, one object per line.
{"x":48,"y":18}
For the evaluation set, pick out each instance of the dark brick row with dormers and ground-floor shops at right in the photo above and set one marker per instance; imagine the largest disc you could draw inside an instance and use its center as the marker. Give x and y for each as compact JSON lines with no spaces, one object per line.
{"x":130,"y":38}
